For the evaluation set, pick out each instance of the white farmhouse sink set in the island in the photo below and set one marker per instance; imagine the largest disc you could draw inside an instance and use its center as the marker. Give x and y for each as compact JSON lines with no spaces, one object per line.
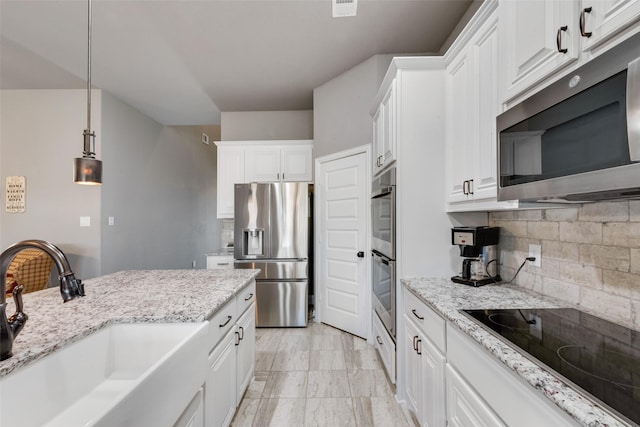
{"x":123,"y":375}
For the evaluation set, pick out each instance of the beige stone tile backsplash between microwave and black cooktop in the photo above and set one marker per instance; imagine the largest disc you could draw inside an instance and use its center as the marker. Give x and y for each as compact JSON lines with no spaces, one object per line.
{"x":590,"y":255}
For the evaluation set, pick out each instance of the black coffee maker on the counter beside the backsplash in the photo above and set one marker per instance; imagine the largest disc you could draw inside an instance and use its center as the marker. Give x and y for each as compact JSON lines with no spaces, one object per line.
{"x":478,"y":247}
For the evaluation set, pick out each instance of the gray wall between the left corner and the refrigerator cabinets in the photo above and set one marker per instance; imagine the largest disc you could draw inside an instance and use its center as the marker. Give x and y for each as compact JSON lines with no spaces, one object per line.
{"x":159,"y":186}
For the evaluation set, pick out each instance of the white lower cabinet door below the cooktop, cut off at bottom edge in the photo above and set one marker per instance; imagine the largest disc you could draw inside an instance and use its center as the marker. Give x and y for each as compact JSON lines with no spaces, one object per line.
{"x":464,"y":407}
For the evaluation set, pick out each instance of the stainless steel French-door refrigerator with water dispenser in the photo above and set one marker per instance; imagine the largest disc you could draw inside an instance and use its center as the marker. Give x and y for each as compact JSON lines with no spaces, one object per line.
{"x":272,"y":232}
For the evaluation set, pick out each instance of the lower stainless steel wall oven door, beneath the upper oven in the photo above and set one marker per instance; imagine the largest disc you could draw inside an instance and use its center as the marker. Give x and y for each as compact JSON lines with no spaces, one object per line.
{"x":384,"y":291}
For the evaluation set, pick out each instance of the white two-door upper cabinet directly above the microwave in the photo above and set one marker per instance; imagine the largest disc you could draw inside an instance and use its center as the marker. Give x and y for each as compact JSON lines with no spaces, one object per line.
{"x":543,"y":40}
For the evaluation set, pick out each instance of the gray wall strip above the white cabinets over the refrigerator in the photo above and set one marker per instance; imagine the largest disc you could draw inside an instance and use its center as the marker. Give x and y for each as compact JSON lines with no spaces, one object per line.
{"x":259,"y":125}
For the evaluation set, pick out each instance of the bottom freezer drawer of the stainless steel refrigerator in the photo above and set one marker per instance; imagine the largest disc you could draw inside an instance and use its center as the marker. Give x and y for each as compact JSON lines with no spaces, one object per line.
{"x":282,"y":303}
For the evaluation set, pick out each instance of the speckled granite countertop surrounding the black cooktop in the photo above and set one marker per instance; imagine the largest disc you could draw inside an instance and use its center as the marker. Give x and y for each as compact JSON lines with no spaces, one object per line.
{"x":447,"y":298}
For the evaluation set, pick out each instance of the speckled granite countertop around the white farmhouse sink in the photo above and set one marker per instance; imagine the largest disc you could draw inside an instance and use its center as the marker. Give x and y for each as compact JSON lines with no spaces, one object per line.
{"x":143,"y":296}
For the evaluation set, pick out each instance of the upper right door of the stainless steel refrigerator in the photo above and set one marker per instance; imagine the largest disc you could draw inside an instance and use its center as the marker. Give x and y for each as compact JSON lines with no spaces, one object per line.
{"x":289,"y":220}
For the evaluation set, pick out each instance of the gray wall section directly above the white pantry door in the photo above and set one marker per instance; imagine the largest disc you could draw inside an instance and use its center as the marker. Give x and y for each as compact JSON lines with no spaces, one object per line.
{"x":341,"y":107}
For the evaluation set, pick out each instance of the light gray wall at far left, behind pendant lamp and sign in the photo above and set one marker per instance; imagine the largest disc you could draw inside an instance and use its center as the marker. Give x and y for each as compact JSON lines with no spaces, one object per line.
{"x":41,"y":133}
